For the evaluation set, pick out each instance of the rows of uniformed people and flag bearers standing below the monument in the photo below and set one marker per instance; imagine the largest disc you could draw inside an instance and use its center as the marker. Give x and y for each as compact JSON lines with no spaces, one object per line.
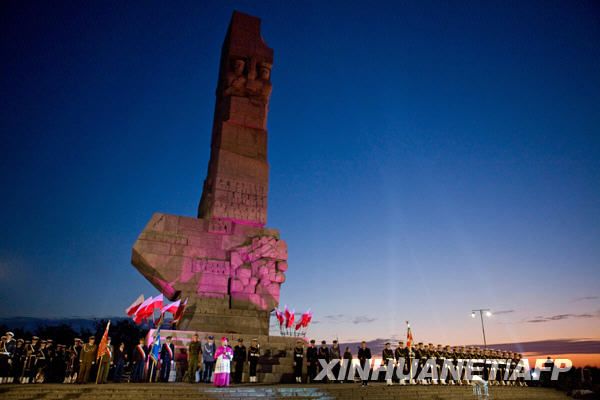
{"x":202,"y":361}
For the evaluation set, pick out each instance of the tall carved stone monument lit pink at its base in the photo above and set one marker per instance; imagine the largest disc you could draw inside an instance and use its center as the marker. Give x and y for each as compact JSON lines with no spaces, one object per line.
{"x":225,"y":262}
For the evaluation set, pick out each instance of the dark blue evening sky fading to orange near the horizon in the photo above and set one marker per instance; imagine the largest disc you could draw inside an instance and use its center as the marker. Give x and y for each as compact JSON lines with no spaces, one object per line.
{"x":426,"y":157}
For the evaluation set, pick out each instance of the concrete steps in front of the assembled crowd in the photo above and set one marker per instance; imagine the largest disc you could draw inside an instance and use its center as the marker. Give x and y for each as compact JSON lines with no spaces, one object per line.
{"x":183,"y":391}
